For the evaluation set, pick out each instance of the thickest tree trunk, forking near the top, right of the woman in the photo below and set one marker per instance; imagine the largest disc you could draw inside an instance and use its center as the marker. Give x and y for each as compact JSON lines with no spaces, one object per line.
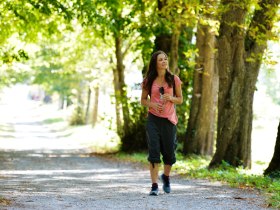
{"x":237,"y":79}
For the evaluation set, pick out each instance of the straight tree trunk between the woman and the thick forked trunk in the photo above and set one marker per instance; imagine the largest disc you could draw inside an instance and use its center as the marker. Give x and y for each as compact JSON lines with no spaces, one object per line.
{"x":201,"y":124}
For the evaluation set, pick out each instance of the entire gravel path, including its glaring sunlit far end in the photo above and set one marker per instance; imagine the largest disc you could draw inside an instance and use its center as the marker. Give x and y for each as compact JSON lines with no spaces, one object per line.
{"x":41,"y":170}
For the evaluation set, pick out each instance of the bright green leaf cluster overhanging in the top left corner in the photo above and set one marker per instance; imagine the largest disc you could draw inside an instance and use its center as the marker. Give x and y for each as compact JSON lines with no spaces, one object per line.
{"x":30,"y":19}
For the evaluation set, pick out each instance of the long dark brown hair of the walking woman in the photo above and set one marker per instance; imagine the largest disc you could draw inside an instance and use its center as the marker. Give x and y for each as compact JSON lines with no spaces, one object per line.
{"x":152,"y":74}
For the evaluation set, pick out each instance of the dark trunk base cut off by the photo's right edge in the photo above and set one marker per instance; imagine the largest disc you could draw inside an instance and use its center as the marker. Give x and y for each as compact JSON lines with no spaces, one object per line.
{"x":274,"y":165}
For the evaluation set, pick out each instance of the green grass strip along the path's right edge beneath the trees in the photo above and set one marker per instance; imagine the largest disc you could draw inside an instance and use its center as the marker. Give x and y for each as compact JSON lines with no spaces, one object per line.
{"x":195,"y":167}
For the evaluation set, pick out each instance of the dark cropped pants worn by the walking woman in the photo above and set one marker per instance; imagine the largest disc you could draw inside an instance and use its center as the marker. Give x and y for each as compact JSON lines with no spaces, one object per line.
{"x":161,"y":139}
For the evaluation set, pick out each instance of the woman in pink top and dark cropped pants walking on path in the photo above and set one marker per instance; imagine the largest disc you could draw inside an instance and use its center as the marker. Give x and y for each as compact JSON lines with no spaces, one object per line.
{"x":164,"y":91}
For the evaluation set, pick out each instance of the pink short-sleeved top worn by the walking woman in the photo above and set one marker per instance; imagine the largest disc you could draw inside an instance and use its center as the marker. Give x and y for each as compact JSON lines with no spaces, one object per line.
{"x":169,"y":111}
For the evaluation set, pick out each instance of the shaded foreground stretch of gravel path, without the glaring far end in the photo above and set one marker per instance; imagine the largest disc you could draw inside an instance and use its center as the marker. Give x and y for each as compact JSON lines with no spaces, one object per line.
{"x":73,"y":181}
